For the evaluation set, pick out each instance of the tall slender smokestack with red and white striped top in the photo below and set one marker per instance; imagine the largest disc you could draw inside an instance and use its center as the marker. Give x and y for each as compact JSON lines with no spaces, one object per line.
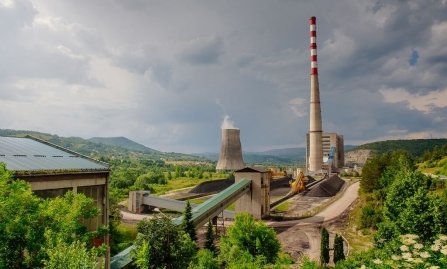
{"x":315,"y":126}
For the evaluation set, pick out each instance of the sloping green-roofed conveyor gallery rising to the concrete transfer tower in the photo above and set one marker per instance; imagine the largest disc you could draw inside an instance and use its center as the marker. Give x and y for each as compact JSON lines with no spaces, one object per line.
{"x":200,"y":215}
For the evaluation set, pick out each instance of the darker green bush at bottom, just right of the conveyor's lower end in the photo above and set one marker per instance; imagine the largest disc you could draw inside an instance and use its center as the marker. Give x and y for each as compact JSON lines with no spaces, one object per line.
{"x":161,"y":244}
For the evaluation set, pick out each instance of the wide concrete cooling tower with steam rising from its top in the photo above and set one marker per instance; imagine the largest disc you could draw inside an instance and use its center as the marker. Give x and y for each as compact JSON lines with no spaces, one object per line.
{"x":230,"y":157}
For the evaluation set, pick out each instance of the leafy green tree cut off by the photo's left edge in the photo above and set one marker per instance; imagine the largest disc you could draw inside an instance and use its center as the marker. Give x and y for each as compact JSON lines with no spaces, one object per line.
{"x":21,"y":227}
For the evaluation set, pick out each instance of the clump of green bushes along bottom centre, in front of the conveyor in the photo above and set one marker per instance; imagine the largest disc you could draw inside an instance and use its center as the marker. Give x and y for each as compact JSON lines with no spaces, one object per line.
{"x":248,"y":244}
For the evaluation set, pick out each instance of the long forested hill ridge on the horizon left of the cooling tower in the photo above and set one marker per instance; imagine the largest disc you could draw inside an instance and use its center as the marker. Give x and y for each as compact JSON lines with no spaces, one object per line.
{"x":90,"y":148}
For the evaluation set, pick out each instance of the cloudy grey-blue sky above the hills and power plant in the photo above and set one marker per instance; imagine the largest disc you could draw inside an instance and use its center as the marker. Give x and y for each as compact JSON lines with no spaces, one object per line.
{"x":166,"y":73}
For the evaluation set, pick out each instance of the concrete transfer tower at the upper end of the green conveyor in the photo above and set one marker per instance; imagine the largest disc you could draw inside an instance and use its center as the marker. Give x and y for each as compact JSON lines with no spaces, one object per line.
{"x":257,"y":201}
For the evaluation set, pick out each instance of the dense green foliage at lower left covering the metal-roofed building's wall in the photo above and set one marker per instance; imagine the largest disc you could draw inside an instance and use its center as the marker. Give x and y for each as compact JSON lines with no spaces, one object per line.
{"x":48,"y":233}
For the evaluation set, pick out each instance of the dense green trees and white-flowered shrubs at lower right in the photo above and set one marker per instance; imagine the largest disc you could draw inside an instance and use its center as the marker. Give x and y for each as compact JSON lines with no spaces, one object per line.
{"x":405,"y":210}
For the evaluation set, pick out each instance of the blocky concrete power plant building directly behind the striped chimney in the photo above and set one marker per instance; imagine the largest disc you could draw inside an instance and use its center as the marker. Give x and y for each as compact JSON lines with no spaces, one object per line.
{"x":330,"y":140}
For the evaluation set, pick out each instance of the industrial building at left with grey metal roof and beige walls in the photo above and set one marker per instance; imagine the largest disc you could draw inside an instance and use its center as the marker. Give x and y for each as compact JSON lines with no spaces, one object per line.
{"x":52,"y":171}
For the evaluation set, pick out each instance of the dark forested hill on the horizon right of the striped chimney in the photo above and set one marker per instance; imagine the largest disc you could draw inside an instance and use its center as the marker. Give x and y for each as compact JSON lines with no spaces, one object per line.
{"x":416,"y":147}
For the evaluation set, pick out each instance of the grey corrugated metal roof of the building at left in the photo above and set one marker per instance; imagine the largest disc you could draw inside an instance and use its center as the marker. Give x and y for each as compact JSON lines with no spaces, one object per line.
{"x":29,"y":154}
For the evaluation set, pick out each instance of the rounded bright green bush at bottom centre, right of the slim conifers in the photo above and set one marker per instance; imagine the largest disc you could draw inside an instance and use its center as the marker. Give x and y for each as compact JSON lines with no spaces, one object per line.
{"x":249,"y":237}
